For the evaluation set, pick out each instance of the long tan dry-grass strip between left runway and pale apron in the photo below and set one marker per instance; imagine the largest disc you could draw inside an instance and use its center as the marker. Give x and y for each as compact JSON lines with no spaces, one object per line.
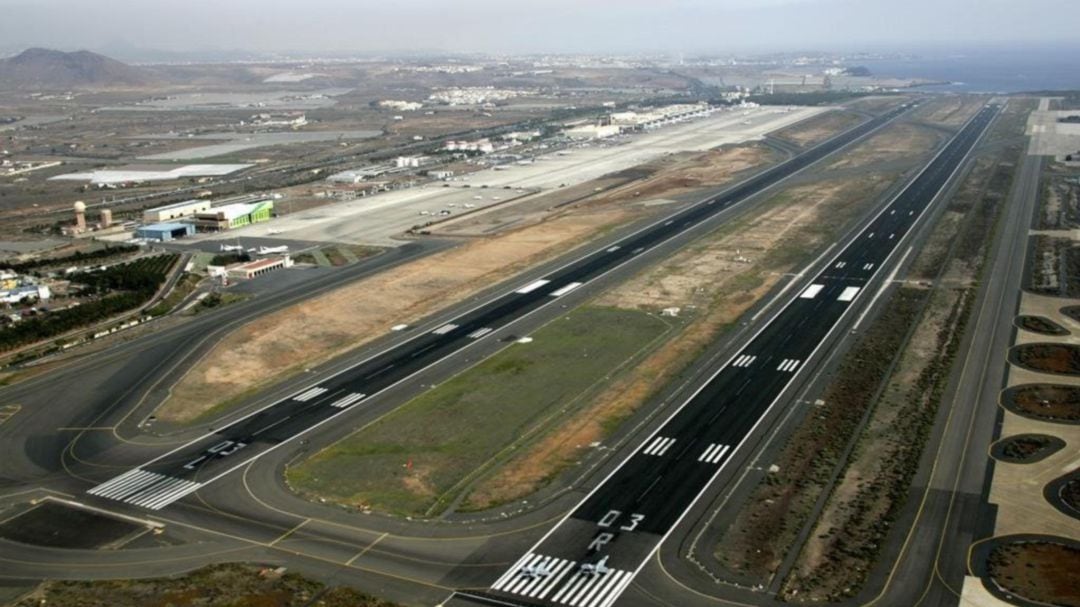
{"x":329,"y":326}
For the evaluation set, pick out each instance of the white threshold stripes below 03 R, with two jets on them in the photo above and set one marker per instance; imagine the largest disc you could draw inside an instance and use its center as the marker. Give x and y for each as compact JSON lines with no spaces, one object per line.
{"x":576,"y":587}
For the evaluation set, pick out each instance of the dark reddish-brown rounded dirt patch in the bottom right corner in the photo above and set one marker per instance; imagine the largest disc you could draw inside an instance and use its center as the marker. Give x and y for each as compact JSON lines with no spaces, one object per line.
{"x":1042,"y":572}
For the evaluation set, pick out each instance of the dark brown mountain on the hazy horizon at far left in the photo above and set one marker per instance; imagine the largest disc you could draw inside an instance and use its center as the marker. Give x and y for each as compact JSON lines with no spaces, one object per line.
{"x":44,"y":69}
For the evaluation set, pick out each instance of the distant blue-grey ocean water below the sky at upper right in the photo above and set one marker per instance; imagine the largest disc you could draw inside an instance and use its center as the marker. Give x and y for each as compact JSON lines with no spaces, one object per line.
{"x":990,"y":72}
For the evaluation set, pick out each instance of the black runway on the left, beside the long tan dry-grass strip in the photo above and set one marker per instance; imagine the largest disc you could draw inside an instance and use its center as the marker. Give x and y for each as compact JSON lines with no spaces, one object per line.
{"x":183,"y":471}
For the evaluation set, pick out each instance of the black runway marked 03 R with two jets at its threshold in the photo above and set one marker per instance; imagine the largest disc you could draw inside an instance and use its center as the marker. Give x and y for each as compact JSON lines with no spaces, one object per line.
{"x":622,"y":523}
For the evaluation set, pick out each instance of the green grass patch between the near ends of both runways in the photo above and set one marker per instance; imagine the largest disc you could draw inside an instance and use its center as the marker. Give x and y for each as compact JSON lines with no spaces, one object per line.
{"x":456,"y":429}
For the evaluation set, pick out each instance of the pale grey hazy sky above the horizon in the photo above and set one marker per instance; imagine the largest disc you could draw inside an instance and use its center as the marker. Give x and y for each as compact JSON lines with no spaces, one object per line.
{"x":534,"y":25}
